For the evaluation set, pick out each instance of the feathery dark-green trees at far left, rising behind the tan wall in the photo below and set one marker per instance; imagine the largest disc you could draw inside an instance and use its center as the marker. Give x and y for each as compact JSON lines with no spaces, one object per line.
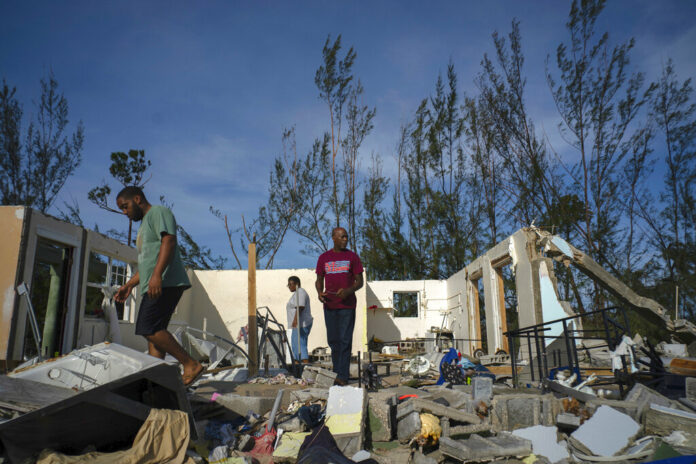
{"x":34,"y":174}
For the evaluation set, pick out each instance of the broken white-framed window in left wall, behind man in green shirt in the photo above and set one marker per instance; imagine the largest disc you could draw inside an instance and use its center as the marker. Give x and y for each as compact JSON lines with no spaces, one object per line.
{"x":111,"y":273}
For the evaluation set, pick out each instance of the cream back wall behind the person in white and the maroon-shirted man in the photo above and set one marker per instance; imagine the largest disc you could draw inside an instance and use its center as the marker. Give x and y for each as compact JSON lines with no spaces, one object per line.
{"x":217,"y":303}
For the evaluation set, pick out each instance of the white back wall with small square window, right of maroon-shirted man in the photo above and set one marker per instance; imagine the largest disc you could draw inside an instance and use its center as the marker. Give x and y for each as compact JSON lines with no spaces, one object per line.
{"x":381,"y":323}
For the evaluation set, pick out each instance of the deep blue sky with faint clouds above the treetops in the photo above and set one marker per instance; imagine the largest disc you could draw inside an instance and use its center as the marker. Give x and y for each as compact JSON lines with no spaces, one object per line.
{"x":207,"y":89}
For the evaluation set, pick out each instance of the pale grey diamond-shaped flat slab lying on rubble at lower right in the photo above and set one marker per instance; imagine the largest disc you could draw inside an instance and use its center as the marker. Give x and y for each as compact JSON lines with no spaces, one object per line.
{"x":606,"y":432}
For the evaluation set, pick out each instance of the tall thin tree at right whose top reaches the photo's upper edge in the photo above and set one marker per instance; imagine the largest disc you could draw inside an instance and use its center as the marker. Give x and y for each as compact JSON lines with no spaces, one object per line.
{"x":597,"y":98}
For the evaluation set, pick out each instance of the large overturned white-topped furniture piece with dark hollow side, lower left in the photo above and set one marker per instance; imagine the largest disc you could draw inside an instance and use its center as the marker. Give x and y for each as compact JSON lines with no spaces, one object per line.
{"x":119,"y":388}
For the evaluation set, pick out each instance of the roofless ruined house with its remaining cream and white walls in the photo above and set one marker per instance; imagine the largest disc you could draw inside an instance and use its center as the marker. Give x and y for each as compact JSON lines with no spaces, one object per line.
{"x":71,"y":272}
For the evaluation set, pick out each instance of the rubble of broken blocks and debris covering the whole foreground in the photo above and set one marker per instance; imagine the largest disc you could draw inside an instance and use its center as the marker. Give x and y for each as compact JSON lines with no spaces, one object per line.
{"x":108,"y":403}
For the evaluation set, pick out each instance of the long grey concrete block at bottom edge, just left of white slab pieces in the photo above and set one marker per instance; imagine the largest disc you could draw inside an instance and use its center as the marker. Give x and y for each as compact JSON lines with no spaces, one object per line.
{"x":477,"y":448}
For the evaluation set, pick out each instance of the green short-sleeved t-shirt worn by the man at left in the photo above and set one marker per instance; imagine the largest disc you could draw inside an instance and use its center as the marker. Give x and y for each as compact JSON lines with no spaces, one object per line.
{"x":157,"y":221}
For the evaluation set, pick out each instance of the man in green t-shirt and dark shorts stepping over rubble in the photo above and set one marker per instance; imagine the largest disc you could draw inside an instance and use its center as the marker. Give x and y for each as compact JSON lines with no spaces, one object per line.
{"x":161,"y":276}
